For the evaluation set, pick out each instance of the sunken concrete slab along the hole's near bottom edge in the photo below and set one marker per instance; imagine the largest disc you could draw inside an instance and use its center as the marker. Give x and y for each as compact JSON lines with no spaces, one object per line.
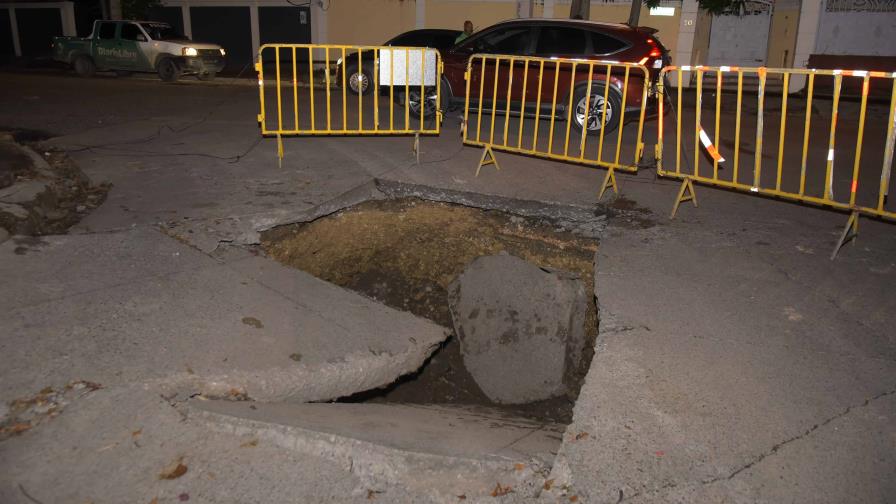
{"x":435,"y":450}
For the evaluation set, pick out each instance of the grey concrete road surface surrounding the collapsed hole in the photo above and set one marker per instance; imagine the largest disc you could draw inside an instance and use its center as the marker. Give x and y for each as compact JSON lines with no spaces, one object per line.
{"x":735,"y":361}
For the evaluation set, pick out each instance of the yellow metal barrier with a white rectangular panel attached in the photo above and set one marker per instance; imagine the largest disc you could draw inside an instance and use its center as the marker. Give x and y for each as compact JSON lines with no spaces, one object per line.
{"x":314,"y":89}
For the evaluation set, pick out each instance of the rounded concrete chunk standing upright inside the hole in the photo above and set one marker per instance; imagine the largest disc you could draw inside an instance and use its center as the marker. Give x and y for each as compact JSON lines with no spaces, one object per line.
{"x":521,"y":327}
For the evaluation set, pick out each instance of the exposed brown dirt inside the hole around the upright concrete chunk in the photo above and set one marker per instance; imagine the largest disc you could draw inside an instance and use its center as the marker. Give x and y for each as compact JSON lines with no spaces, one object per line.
{"x":405,"y":253}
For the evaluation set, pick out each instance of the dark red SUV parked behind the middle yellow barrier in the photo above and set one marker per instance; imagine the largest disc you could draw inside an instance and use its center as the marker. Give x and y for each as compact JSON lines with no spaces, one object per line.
{"x":559,"y":39}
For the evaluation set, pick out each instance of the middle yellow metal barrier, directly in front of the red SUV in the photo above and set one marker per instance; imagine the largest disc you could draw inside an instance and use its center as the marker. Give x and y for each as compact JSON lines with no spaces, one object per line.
{"x":565,"y":93}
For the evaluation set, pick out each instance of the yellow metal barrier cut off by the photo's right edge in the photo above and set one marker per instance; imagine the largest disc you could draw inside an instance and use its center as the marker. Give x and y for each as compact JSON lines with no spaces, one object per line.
{"x":808,"y":175}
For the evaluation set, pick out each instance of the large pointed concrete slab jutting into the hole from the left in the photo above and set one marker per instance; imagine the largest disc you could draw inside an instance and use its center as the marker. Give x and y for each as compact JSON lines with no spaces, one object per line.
{"x":140,"y":306}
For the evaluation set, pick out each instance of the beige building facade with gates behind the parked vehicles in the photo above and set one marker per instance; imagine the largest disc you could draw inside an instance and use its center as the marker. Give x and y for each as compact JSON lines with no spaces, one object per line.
{"x":773,"y":33}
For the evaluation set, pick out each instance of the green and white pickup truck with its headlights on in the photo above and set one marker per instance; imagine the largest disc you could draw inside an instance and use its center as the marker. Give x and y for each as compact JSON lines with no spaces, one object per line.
{"x":139,"y":46}
